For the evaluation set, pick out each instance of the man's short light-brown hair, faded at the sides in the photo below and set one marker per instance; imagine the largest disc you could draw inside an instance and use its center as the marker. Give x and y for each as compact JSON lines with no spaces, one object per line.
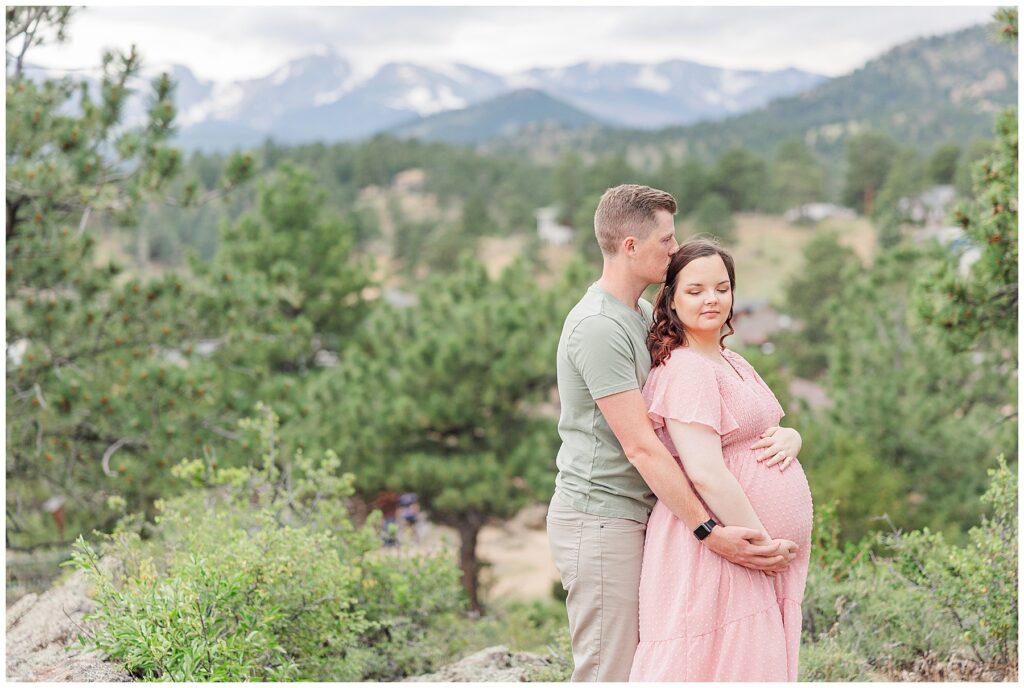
{"x":629,"y":210}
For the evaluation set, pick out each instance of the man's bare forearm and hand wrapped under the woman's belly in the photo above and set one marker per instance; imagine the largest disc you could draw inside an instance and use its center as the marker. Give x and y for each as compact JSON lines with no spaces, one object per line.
{"x":627,"y":416}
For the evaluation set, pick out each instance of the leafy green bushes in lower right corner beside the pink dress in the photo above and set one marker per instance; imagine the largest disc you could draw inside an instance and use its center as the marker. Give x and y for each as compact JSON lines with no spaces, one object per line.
{"x":873,"y":617}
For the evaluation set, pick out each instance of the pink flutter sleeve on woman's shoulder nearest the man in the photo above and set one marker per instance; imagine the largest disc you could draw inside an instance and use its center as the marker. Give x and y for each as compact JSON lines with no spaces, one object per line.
{"x":687,"y":391}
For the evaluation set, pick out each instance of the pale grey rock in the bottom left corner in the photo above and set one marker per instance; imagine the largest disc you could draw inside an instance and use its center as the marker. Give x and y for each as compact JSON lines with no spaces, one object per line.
{"x":41,"y":631}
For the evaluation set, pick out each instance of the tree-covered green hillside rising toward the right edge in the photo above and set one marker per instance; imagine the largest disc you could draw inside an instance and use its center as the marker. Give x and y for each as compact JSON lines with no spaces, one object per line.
{"x":922,"y":94}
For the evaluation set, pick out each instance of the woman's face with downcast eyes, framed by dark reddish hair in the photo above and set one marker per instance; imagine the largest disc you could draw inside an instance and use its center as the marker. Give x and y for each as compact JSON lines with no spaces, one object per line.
{"x":704,"y":296}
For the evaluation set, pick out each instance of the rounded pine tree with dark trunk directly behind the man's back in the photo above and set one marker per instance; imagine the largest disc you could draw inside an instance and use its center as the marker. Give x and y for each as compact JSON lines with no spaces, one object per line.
{"x":442,"y":399}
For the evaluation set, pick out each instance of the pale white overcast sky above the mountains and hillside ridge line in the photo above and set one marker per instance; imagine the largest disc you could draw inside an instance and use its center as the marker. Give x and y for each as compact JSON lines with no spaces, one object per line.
{"x":229,"y":44}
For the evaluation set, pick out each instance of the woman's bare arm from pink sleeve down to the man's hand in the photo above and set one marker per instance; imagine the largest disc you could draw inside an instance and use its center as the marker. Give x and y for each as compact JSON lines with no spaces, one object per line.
{"x":701,"y":451}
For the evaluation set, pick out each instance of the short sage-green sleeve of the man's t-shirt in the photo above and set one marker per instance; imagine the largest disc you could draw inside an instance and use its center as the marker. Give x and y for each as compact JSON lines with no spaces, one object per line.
{"x":603,"y":354}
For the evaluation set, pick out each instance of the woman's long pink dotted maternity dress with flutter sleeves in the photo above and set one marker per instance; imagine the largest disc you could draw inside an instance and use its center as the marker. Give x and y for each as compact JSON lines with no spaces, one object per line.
{"x":702,"y":618}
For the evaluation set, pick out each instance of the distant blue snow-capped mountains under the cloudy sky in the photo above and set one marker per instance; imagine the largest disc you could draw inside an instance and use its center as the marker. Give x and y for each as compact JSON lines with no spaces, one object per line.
{"x":319,"y":98}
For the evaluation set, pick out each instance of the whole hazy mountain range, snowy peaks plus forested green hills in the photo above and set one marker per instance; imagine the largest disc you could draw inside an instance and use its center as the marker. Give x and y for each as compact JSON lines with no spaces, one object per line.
{"x":922,"y":93}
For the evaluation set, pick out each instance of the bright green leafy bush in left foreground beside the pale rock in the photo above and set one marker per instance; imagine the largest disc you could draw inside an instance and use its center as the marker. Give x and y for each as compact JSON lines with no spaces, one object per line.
{"x":259,"y":575}
